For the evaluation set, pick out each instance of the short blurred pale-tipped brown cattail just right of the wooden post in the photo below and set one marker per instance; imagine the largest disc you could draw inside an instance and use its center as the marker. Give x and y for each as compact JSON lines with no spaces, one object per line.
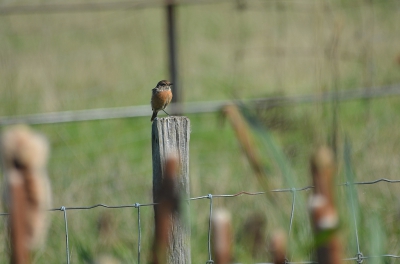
{"x":222,"y":236}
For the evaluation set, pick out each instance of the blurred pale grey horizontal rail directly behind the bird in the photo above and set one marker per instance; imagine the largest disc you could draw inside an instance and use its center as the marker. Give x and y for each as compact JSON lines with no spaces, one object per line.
{"x":198,"y":107}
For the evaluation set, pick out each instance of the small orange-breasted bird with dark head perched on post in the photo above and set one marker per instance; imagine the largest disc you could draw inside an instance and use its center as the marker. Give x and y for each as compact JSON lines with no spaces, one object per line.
{"x":161,"y":97}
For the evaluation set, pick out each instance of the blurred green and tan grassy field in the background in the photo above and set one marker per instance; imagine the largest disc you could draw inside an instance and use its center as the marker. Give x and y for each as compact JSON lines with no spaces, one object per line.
{"x":73,"y":61}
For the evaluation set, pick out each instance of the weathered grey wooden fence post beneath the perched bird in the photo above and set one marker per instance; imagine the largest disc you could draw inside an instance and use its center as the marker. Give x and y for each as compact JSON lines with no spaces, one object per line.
{"x":170,"y":137}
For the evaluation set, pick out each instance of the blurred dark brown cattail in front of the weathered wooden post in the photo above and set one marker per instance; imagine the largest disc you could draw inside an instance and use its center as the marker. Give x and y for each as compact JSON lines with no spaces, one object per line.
{"x":168,"y":204}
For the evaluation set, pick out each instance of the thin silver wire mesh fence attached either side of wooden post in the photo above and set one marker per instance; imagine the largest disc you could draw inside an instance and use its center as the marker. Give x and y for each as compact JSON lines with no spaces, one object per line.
{"x":359,"y":256}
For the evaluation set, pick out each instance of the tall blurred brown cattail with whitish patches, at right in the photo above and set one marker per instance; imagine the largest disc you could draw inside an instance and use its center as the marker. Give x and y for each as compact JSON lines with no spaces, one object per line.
{"x":323,"y":212}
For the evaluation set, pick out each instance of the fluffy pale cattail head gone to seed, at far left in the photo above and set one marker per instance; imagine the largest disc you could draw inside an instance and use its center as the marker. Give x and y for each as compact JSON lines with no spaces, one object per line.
{"x":24,"y":157}
